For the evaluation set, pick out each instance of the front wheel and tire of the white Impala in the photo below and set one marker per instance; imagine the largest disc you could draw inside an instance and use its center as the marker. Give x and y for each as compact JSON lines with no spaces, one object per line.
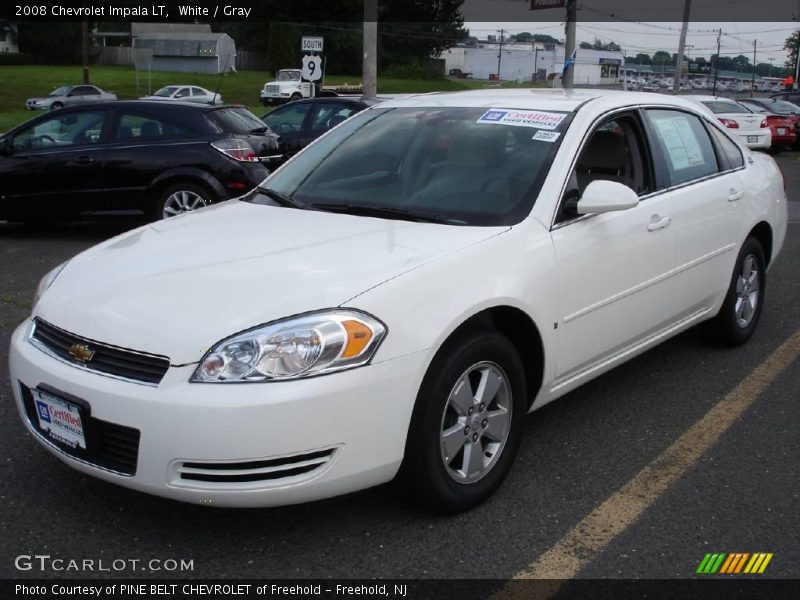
{"x":447,"y":427}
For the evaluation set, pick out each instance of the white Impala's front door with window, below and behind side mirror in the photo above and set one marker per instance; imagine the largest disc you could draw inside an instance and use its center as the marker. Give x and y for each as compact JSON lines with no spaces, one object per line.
{"x":614,"y":283}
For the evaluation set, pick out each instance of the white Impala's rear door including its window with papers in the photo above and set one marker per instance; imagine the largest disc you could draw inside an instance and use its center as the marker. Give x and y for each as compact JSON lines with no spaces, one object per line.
{"x":703,"y":167}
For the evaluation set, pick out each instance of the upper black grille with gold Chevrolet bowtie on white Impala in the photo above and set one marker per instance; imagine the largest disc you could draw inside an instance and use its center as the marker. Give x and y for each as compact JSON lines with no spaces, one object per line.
{"x":112,"y":360}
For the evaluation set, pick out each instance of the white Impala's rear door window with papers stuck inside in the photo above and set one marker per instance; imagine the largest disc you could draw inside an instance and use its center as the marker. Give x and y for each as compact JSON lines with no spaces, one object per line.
{"x":684,"y":142}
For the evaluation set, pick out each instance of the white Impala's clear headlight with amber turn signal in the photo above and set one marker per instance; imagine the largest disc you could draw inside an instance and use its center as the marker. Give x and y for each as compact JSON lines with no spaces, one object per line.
{"x":302,"y":346}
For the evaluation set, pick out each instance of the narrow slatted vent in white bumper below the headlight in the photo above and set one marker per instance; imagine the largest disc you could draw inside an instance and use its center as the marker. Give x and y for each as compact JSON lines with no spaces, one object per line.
{"x":259,"y":470}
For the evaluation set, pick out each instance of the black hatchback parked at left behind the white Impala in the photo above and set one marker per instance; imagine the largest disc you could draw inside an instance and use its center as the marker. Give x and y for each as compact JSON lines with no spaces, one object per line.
{"x":154,"y":157}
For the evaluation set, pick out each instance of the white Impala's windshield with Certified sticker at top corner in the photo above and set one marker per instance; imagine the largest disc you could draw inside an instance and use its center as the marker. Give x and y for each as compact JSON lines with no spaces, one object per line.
{"x":461,"y":166}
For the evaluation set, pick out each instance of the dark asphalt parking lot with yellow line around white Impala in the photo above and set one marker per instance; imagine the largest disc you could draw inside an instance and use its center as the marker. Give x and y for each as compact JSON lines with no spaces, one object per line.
{"x":580,"y":464}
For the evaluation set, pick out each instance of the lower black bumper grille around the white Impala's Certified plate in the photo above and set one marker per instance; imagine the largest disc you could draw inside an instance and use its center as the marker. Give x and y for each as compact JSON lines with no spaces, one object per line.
{"x":109,"y":445}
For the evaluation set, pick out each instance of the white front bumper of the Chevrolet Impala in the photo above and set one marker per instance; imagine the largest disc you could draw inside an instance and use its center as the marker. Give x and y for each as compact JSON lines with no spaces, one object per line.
{"x":357,"y":419}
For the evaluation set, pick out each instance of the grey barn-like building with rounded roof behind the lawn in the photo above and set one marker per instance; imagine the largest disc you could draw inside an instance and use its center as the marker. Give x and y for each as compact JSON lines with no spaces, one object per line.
{"x":185,"y":47}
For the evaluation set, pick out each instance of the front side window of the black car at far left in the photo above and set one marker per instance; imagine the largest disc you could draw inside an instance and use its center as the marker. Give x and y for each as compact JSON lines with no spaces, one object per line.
{"x":74,"y":129}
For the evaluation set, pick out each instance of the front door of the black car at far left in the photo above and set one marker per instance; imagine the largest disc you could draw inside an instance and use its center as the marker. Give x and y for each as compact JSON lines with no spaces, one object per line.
{"x":56,"y":164}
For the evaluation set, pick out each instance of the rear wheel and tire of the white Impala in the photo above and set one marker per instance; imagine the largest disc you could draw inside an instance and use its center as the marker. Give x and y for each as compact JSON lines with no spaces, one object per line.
{"x":738,"y":317}
